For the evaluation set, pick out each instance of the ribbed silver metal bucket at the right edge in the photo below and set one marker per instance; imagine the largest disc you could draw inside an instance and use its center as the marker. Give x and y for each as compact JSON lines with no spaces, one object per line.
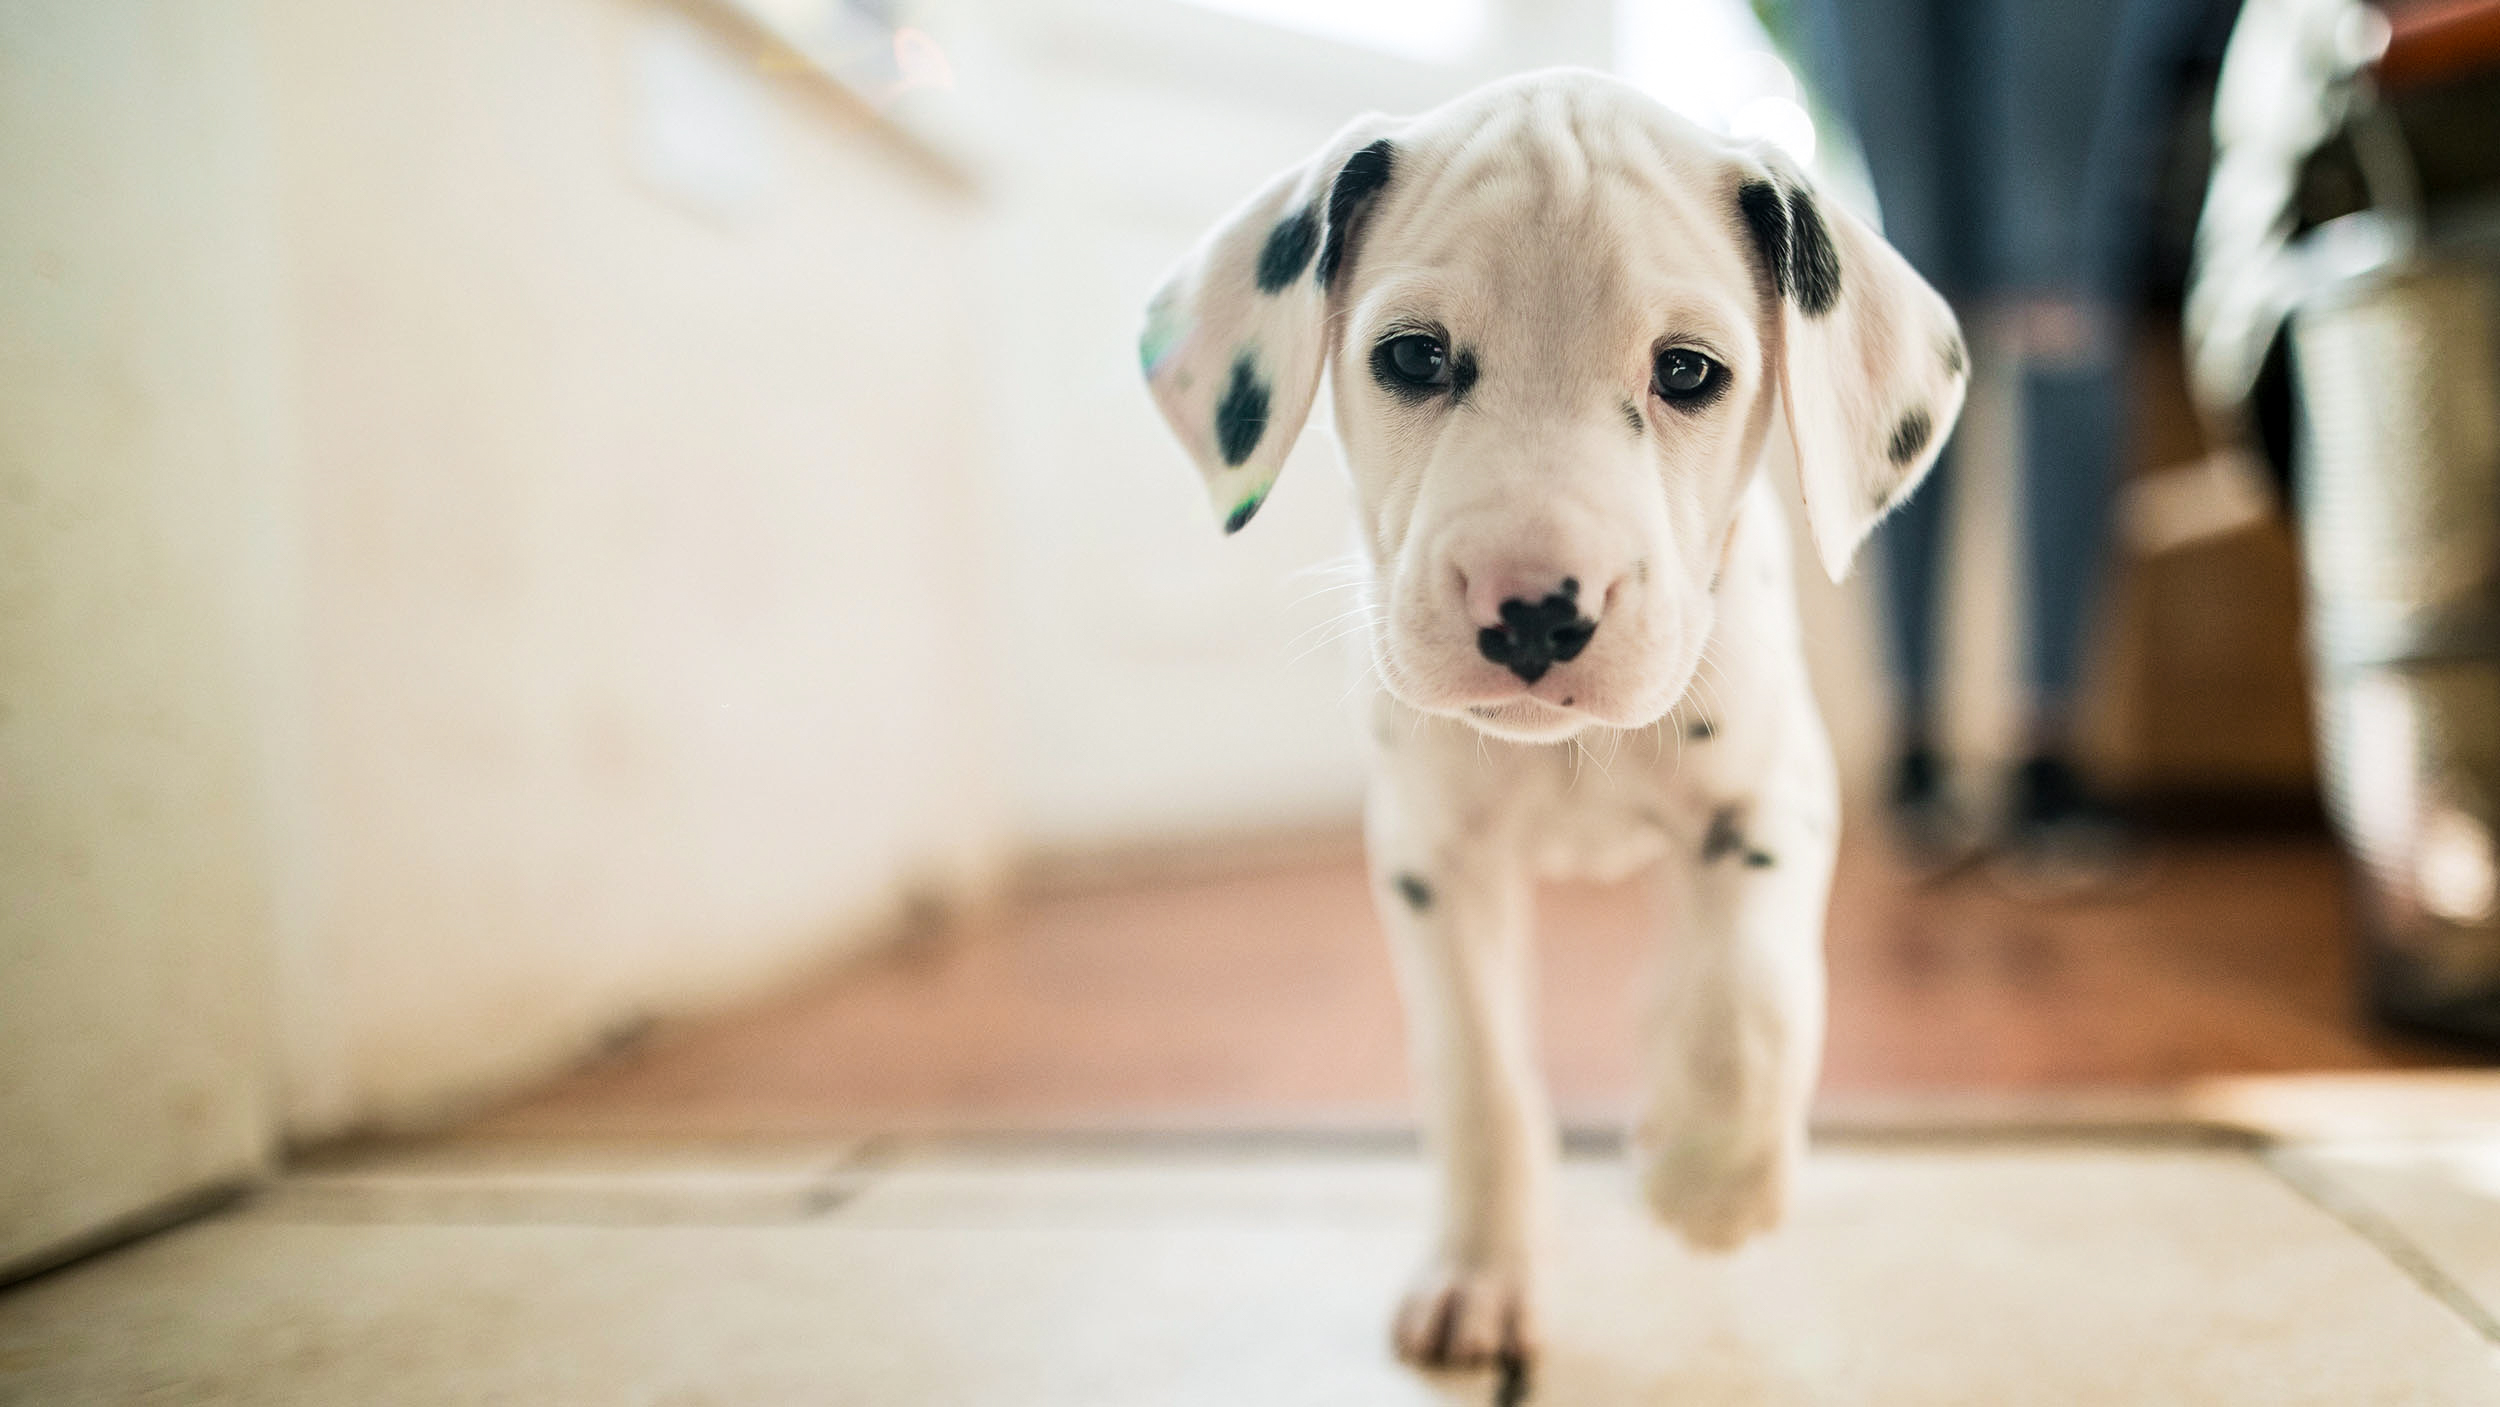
{"x":2399,"y":381}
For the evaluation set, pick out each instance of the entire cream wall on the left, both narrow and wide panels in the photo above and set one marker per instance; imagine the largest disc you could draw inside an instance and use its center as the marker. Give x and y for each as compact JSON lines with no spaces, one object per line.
{"x":489,"y":554}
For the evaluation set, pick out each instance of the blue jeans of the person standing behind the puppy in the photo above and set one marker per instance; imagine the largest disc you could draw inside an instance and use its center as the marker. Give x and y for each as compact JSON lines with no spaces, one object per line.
{"x":2014,"y":146}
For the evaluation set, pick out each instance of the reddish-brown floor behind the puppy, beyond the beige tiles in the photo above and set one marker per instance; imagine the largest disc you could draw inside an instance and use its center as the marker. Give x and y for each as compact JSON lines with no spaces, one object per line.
{"x":1266,"y":1001}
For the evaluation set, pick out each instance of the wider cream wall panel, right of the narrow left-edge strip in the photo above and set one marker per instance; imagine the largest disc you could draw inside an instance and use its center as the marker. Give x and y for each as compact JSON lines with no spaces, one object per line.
{"x":634,"y":471}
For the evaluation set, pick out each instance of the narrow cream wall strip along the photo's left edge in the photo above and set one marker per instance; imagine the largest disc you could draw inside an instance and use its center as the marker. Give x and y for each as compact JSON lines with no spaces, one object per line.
{"x":136,"y":471}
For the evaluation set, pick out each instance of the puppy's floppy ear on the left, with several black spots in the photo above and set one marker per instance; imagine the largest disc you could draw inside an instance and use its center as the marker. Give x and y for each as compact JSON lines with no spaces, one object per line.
{"x":1236,"y":341}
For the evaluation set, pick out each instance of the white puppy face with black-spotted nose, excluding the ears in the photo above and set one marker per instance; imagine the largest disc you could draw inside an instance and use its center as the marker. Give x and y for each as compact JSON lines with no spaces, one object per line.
{"x":1551,"y":381}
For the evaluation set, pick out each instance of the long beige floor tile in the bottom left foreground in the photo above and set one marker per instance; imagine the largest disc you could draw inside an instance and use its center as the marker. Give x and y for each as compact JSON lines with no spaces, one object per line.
{"x":719,"y":1316}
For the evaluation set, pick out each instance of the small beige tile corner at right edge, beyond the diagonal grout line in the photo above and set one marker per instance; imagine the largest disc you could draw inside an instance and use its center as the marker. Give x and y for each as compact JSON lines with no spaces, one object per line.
{"x":2431,"y":1198}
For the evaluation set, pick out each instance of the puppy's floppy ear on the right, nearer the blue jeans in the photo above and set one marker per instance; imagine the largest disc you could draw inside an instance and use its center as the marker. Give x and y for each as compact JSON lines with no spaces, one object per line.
{"x":1871,"y":359}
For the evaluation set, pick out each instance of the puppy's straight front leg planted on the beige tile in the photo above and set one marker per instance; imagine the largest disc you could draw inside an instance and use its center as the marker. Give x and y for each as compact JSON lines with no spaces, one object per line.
{"x":1459,"y":921}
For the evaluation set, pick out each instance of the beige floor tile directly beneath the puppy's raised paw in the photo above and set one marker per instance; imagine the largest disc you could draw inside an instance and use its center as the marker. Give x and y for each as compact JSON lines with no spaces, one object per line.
{"x":2019,"y":1276}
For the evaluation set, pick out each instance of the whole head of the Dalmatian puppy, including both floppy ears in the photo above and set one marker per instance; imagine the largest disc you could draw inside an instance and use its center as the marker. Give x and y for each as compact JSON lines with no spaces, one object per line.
{"x":1559,"y":324}
